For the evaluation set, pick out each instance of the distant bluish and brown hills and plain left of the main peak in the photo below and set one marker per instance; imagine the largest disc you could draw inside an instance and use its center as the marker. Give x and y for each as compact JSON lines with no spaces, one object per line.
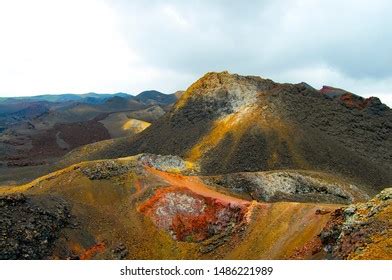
{"x":36,"y":130}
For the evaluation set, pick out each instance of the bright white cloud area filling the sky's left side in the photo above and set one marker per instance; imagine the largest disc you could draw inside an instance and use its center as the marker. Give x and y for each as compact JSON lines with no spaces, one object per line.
{"x":66,"y":46}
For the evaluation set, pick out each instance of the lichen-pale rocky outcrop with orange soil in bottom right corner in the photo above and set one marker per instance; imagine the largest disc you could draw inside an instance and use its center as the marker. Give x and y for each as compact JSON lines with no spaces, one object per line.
{"x":361,"y":231}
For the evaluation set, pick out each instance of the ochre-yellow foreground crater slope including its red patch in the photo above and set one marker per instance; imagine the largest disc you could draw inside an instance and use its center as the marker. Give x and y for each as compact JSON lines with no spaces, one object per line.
{"x":144,"y":207}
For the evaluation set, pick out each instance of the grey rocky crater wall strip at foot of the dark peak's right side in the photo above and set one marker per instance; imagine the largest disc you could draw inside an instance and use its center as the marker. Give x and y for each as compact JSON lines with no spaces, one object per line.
{"x":289,"y":186}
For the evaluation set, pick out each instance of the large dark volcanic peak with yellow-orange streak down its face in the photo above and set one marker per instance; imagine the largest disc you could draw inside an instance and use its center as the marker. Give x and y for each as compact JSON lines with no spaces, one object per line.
{"x":255,"y":124}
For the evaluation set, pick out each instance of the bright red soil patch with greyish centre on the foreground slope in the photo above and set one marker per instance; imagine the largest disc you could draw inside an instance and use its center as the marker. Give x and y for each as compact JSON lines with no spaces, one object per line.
{"x":189,"y":216}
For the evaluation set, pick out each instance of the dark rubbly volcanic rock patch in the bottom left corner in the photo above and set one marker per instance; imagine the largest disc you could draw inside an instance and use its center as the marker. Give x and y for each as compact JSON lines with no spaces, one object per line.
{"x":29,"y":226}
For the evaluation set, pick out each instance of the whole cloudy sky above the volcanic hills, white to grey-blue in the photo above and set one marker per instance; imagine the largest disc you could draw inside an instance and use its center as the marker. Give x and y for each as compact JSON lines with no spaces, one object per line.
{"x":54,"y":46}
